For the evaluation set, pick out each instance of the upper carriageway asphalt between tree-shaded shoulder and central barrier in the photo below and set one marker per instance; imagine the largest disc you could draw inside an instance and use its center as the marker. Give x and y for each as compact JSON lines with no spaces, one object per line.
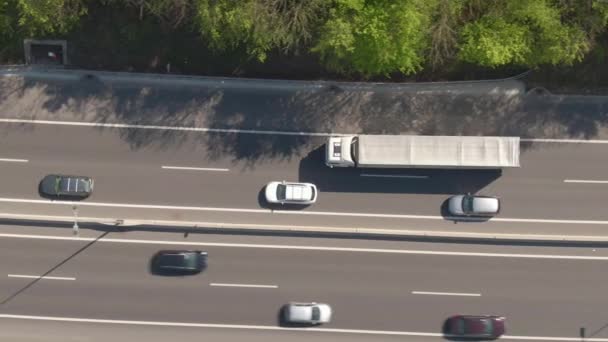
{"x":535,"y":198}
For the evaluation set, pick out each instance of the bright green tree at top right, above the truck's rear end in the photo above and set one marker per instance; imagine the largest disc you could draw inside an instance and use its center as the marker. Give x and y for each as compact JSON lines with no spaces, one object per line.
{"x":523,"y":32}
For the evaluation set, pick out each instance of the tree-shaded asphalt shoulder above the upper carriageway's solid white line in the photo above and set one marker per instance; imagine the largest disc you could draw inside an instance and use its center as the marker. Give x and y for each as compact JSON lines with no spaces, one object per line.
{"x":474,"y":108}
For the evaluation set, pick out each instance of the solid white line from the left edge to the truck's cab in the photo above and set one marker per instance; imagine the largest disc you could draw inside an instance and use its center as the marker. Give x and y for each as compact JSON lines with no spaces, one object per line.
{"x":166,"y":128}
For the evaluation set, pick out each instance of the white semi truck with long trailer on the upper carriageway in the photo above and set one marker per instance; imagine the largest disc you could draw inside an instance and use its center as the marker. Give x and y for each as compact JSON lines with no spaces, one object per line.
{"x":422,"y":151}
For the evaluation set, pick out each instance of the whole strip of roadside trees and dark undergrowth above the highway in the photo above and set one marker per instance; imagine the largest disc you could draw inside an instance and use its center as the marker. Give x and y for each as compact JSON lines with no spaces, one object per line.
{"x":346,"y":39}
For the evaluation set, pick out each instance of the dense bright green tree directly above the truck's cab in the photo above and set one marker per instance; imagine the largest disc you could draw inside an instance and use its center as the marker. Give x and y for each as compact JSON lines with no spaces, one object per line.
{"x":376,"y":37}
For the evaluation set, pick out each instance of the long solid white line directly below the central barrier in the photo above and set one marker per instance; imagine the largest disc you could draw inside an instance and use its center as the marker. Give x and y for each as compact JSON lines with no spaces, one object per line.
{"x":310,"y":248}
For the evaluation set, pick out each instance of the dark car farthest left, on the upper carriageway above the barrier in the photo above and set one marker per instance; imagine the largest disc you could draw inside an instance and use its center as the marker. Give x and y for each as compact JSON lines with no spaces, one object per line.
{"x":66,"y":186}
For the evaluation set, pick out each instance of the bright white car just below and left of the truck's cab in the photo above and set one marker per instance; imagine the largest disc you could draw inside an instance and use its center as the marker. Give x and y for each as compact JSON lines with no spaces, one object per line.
{"x":289,"y":192}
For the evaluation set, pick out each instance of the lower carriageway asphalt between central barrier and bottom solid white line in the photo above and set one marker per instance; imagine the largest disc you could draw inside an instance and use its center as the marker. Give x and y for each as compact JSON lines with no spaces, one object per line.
{"x":372,"y":291}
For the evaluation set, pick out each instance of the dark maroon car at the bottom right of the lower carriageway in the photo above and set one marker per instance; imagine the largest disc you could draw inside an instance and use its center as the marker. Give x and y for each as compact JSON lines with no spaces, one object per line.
{"x":477,"y":327}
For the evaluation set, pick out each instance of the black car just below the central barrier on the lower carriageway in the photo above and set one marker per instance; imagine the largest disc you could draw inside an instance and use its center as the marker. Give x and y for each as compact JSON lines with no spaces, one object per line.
{"x":178,"y":262}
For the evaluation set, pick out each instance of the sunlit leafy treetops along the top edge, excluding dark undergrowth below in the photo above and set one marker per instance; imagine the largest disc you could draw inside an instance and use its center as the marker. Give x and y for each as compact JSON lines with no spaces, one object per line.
{"x":365,"y":38}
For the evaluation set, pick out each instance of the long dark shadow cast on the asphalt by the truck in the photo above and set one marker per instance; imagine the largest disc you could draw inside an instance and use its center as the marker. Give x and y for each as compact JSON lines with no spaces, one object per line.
{"x":312,"y":169}
